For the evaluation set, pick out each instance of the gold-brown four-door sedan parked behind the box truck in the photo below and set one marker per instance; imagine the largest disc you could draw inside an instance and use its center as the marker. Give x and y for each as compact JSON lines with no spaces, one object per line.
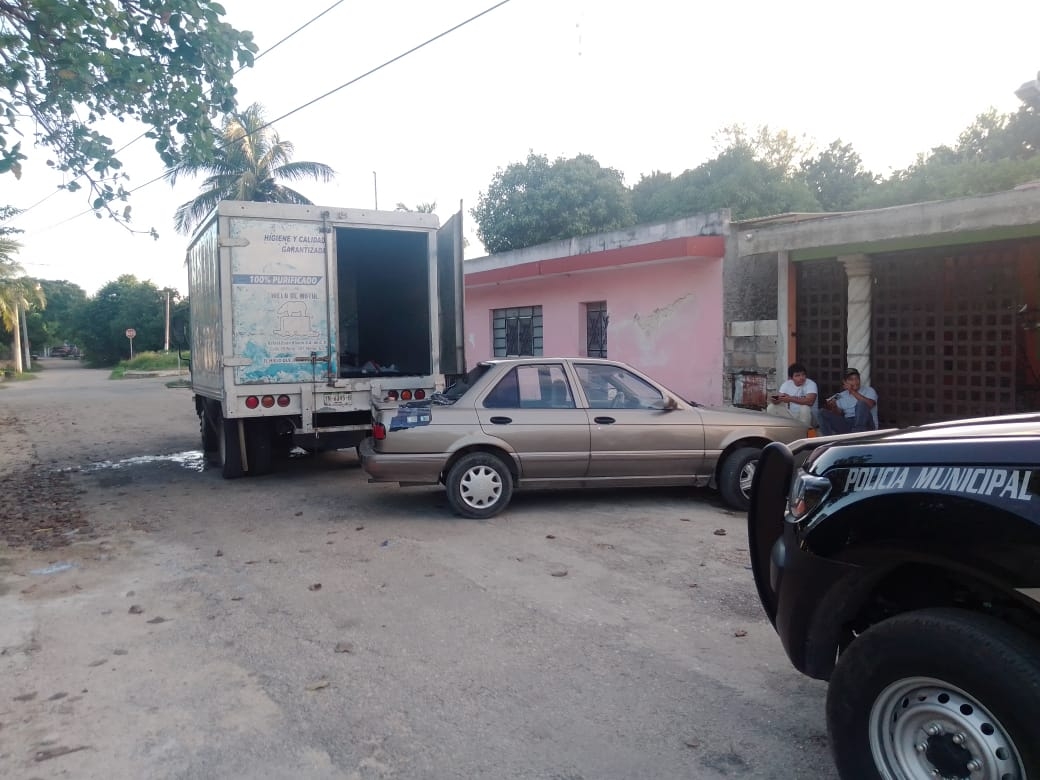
{"x":566,"y":423}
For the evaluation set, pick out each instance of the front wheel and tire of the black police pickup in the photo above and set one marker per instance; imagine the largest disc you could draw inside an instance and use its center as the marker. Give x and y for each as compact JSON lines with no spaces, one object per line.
{"x":928,"y":693}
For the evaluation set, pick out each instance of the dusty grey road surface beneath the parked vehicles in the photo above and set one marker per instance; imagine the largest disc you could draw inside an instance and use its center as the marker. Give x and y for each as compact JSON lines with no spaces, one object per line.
{"x":309,"y":625}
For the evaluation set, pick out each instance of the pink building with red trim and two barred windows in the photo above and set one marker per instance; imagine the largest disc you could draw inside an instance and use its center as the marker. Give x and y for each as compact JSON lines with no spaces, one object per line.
{"x":651,"y":297}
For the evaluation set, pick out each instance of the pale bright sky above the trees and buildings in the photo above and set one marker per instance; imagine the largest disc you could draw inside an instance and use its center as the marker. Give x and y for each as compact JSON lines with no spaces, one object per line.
{"x":641,"y":87}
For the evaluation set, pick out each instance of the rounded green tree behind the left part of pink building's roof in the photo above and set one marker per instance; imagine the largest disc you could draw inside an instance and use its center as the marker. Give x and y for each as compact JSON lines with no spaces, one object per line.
{"x":534,"y":202}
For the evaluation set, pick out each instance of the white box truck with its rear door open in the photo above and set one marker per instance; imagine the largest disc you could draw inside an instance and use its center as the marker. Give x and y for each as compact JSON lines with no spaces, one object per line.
{"x":303,"y":316}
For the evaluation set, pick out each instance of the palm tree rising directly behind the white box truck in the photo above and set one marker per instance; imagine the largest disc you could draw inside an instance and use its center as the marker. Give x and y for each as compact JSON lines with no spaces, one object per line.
{"x":247,"y":166}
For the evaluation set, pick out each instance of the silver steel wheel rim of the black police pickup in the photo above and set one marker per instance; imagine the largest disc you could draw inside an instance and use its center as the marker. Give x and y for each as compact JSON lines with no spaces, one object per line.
{"x":924,"y":729}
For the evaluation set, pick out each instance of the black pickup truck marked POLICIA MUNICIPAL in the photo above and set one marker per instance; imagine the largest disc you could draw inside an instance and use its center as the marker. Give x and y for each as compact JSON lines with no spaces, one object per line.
{"x":904,"y":567}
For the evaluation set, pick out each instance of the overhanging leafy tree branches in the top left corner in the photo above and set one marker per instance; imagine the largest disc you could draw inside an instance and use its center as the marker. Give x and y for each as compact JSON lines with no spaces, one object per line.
{"x":68,"y":66}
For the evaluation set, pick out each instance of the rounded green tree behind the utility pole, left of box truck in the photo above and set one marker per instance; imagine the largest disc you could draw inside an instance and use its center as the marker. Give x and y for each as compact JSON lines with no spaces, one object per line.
{"x":106,"y":318}
